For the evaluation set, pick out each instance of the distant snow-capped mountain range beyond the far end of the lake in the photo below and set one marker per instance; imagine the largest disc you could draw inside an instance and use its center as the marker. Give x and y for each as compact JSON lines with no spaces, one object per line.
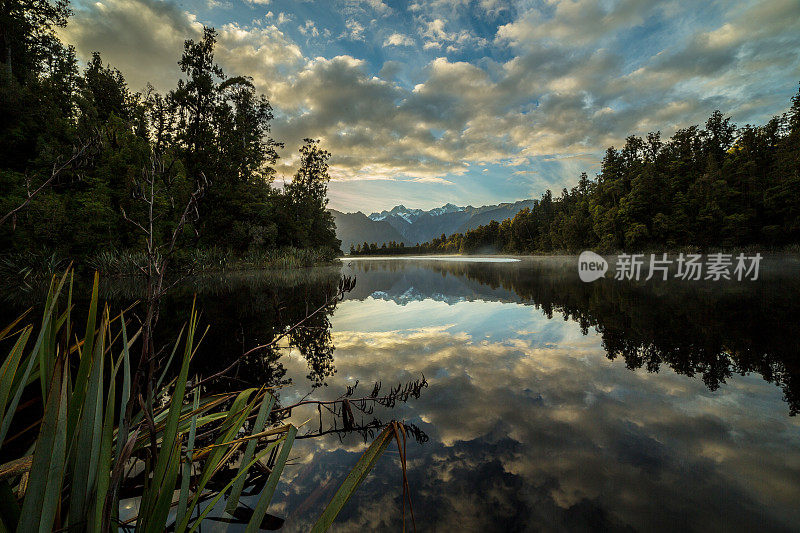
{"x":411,"y":226}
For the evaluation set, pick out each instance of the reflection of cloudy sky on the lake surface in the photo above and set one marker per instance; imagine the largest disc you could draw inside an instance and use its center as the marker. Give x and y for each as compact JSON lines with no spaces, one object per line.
{"x":533,"y":428}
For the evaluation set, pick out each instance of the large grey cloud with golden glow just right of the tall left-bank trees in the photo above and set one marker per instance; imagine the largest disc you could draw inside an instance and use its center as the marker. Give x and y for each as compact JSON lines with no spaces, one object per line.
{"x":361,"y":122}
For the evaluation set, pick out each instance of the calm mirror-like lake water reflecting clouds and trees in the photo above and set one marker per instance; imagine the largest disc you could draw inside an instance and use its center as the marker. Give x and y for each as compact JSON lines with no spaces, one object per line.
{"x":552,"y":404}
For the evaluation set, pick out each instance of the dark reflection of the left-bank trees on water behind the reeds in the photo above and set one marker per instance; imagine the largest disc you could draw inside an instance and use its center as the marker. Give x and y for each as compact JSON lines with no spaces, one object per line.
{"x":246,"y":310}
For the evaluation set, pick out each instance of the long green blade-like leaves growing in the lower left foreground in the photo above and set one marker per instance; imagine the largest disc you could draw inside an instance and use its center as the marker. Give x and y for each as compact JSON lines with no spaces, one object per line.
{"x":94,"y":433}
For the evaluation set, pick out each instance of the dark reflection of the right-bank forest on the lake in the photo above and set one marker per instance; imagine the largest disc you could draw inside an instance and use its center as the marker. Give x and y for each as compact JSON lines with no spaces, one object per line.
{"x":709,"y":330}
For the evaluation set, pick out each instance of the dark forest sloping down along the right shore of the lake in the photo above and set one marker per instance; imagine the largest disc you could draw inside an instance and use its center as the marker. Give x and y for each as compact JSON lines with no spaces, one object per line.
{"x":718,"y":186}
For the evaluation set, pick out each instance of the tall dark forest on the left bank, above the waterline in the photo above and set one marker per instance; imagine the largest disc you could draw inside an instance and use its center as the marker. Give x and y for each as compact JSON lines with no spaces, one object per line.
{"x":84,"y":161}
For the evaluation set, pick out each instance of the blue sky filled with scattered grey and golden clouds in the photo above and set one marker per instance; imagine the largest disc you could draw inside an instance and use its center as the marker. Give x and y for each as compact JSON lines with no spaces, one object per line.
{"x":472,"y":102}
